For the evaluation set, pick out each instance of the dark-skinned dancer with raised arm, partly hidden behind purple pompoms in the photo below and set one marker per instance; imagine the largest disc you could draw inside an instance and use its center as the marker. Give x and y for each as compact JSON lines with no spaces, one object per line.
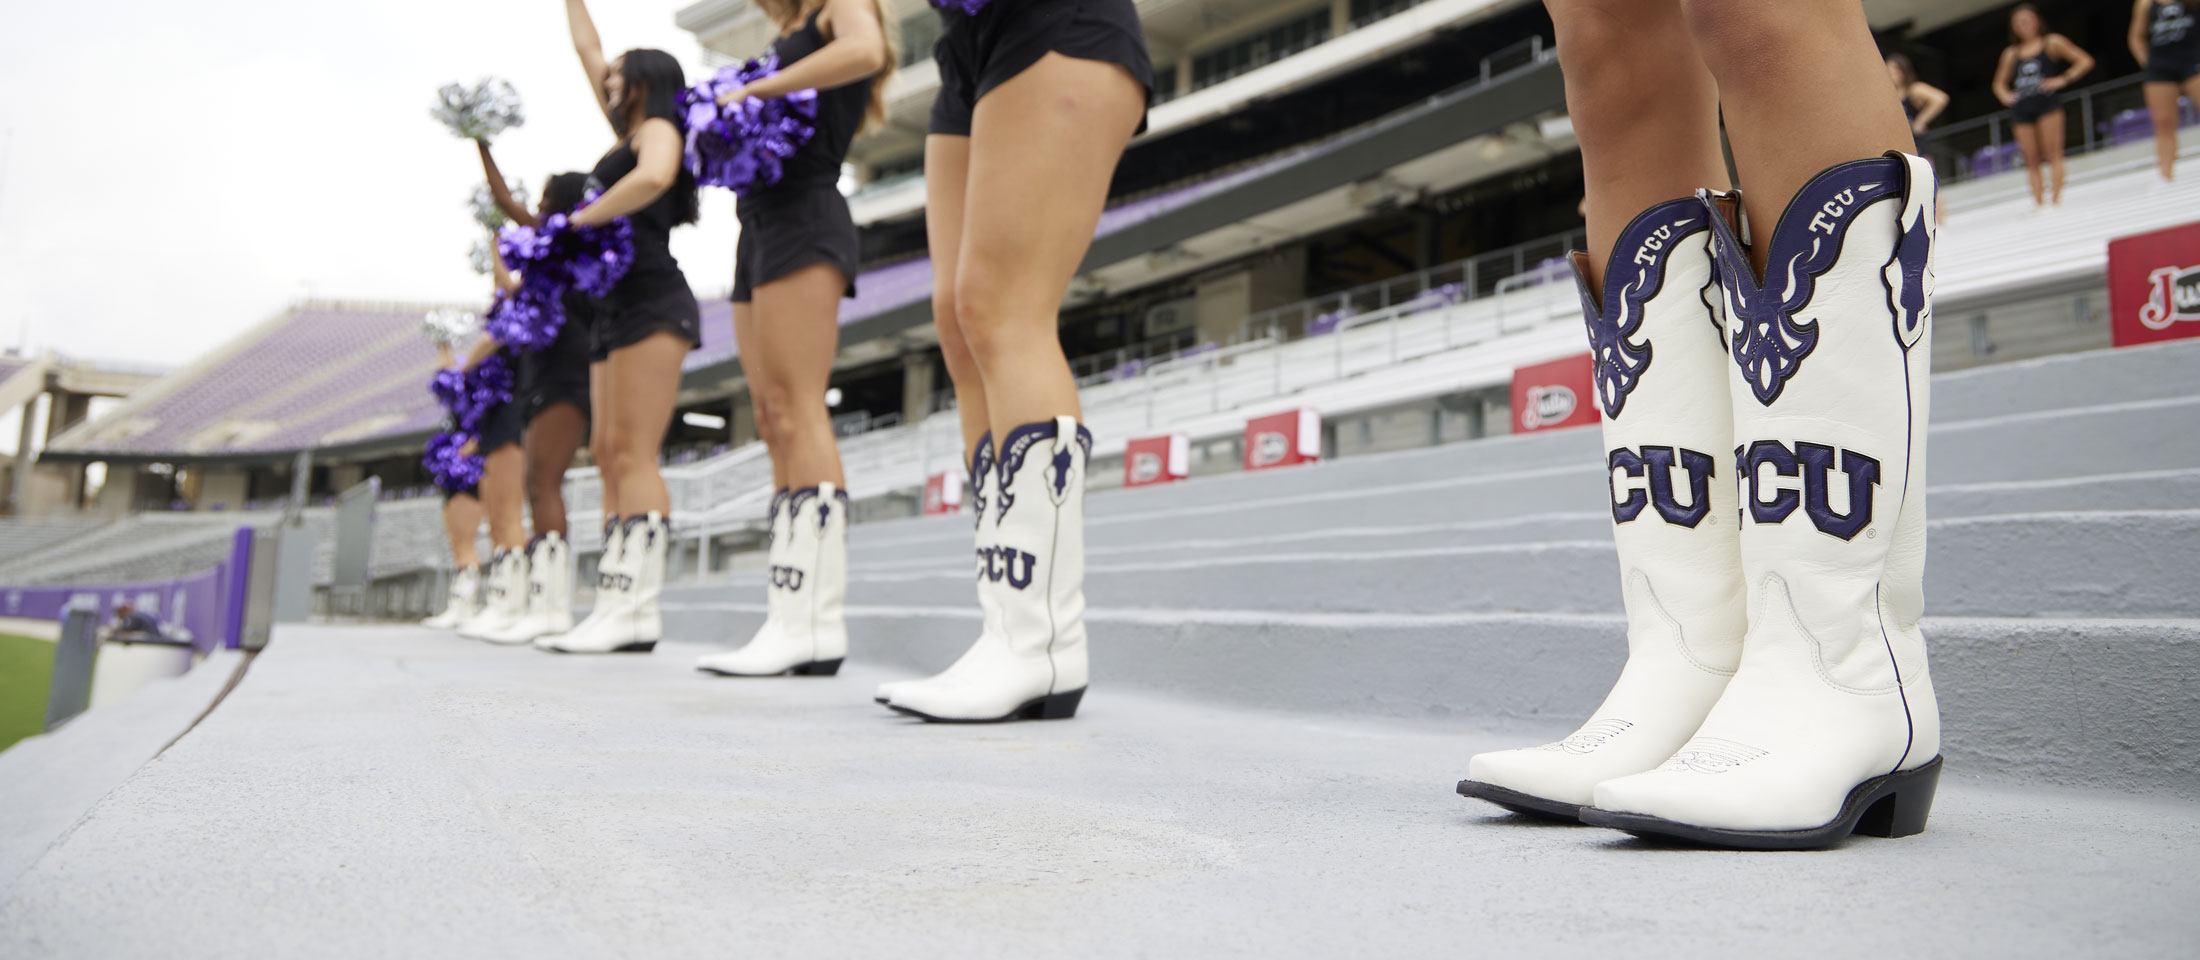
{"x":551,"y":404}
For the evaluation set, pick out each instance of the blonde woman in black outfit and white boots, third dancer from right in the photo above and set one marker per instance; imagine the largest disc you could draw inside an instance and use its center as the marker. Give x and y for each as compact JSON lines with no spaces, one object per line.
{"x":797,"y":259}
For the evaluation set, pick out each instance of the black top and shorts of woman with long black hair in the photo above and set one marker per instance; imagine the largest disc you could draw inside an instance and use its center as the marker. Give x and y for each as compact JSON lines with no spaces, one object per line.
{"x":654,"y":296}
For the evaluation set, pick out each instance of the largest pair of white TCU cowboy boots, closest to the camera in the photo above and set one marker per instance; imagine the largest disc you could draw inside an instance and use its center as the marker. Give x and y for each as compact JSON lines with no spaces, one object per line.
{"x":1768,"y":472}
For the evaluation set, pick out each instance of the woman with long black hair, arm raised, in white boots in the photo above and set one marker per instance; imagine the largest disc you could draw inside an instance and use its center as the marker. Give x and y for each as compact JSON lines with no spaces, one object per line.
{"x":641,"y":338}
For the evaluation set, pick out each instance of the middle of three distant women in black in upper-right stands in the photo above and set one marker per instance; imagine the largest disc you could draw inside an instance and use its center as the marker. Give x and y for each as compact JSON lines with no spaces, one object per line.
{"x":2034,"y":74}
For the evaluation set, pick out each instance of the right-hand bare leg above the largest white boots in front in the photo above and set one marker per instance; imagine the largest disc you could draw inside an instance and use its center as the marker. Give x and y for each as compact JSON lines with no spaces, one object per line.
{"x":1765,"y":56}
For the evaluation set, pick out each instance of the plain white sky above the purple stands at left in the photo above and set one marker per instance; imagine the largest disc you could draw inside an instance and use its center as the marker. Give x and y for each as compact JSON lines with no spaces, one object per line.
{"x":181,"y":171}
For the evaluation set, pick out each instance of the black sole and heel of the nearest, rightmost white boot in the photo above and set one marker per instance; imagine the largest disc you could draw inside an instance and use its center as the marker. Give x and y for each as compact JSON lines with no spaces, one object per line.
{"x":1882,"y":807}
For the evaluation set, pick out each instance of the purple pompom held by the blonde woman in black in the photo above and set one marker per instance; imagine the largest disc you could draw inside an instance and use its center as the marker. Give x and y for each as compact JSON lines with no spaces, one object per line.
{"x":745,"y":146}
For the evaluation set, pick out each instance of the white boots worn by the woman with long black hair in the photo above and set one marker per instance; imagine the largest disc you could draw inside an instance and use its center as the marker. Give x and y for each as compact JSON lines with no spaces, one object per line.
{"x":630,"y":582}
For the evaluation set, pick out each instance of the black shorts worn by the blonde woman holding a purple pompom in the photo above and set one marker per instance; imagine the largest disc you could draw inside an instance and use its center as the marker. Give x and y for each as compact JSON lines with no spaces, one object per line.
{"x":789,"y":228}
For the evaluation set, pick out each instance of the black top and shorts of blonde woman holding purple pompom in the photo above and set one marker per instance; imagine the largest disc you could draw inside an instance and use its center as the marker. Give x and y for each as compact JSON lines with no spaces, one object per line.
{"x":804,"y":221}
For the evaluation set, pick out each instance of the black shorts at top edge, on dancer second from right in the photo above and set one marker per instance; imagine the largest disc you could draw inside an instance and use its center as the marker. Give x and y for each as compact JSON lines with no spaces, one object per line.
{"x":980,"y":52}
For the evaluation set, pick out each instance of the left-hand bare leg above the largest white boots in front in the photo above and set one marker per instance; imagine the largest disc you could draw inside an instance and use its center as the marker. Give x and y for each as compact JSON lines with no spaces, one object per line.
{"x":1644,"y":111}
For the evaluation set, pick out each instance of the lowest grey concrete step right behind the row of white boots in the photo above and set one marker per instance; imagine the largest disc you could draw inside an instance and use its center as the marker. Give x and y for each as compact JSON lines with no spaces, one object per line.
{"x":2104,"y":703}
